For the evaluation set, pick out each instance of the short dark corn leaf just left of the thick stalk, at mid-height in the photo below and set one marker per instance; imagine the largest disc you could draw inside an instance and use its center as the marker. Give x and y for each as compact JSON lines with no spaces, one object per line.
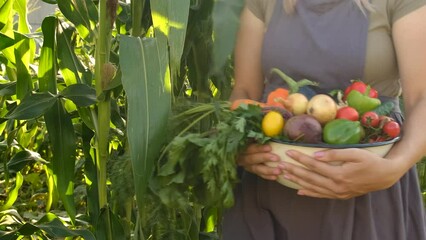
{"x":81,"y":94}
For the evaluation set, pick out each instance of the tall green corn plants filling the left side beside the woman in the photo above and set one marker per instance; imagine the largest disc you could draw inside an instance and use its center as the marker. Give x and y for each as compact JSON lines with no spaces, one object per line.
{"x":88,"y":105}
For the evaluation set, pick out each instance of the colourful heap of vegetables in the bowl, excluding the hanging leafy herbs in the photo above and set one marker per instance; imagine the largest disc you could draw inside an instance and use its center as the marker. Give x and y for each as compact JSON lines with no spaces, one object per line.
{"x":356,"y":117}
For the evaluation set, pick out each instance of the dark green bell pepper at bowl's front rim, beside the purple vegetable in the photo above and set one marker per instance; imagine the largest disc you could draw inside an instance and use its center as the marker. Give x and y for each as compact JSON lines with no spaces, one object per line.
{"x":342,"y":131}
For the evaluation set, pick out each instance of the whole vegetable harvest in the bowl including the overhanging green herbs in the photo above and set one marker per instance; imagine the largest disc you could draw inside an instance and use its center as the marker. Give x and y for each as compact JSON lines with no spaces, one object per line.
{"x":198,"y":167}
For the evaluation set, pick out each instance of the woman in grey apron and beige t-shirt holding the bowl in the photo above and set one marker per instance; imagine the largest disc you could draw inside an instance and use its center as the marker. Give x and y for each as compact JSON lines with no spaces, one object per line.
{"x":382,"y":42}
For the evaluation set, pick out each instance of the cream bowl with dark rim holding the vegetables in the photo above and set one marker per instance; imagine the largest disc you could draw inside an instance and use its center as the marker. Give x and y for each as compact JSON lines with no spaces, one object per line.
{"x":280,"y":148}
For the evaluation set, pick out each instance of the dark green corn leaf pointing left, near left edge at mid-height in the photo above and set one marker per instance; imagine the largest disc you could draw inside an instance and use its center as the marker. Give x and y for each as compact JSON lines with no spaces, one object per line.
{"x":33,"y":106}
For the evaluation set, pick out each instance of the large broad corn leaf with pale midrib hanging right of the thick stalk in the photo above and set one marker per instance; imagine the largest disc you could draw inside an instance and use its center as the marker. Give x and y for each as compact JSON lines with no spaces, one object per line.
{"x":148,"y":107}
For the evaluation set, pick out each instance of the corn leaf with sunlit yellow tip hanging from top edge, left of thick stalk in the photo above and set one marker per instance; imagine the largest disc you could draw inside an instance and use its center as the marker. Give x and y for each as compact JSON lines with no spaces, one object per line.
{"x":83,"y":14}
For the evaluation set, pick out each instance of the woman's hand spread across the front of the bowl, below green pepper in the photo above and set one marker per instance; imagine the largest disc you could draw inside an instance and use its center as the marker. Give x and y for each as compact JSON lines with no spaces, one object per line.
{"x":361,"y":172}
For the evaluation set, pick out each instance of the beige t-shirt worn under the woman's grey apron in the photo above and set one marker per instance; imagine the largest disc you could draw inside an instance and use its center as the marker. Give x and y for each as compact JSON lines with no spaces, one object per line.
{"x":381,"y":68}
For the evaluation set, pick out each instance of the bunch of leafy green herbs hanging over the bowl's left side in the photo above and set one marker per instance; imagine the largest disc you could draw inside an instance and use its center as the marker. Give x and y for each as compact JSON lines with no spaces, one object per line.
{"x":199,"y":167}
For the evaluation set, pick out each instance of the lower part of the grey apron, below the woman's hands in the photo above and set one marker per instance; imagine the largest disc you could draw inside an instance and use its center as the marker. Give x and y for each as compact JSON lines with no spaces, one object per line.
{"x":266,"y":210}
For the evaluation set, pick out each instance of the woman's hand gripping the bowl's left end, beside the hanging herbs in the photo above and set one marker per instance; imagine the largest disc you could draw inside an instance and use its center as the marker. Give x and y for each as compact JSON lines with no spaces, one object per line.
{"x":254,"y":158}
